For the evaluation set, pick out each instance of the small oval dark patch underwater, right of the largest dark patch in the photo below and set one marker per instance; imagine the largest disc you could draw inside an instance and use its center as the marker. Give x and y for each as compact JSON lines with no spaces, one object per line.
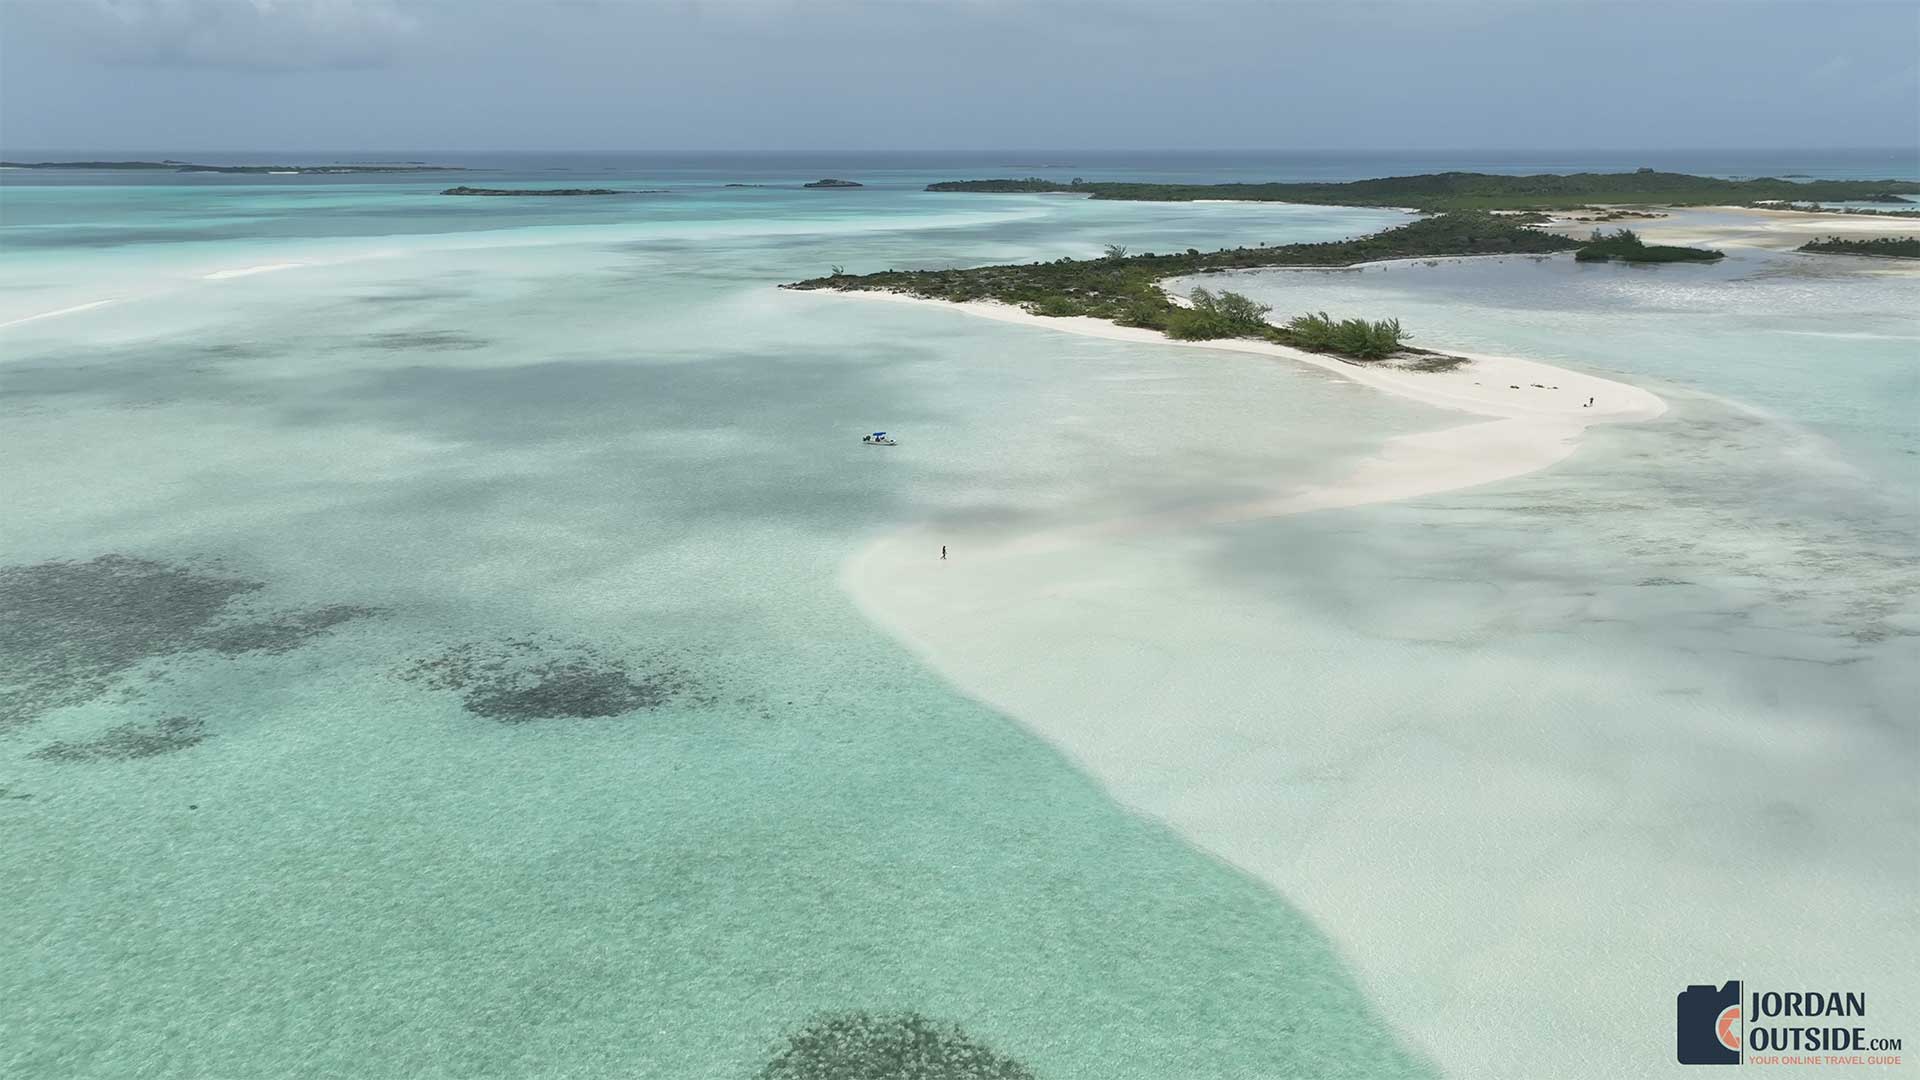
{"x":535,"y":681}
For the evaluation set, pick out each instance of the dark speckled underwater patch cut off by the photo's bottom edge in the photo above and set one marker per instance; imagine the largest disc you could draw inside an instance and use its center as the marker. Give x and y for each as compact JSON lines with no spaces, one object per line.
{"x":896,"y":1046}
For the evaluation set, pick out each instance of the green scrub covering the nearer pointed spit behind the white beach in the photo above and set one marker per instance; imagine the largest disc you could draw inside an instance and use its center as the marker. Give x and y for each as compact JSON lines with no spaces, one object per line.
{"x":1126,"y":289}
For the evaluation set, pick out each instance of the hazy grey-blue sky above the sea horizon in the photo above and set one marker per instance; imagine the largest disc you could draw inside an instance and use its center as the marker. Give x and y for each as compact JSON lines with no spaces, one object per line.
{"x":957,"y":74}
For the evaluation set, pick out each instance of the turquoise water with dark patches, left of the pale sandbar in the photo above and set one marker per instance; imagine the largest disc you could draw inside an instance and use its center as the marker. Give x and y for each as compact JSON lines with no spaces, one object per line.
{"x":435,"y":664}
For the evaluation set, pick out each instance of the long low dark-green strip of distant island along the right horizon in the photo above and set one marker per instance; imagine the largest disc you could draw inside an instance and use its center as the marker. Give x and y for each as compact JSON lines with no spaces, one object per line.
{"x":1479,"y":191}
